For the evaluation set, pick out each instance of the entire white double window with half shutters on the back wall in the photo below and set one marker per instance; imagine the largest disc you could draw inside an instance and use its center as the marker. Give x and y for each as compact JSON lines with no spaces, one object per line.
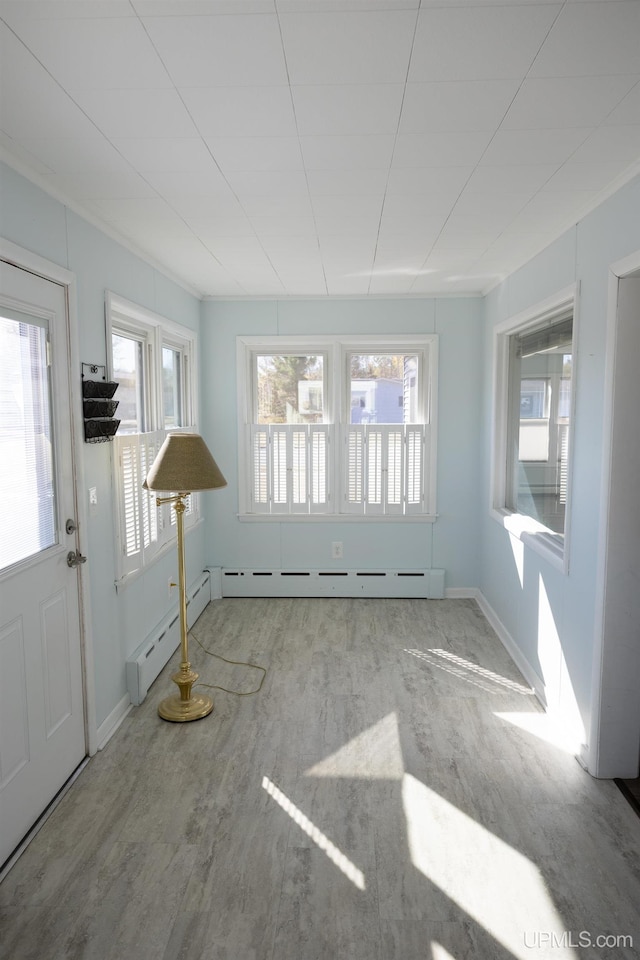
{"x":337,"y":427}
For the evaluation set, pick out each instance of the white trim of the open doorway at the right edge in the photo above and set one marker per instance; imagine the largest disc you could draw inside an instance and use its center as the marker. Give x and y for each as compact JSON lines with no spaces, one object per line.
{"x":610,"y":753}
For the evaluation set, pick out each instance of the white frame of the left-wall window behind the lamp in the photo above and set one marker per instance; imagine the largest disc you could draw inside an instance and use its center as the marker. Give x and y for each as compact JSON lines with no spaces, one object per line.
{"x":139,"y":448}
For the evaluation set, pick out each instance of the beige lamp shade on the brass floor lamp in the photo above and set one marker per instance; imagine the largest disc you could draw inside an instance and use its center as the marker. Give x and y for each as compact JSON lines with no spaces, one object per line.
{"x":184,"y":464}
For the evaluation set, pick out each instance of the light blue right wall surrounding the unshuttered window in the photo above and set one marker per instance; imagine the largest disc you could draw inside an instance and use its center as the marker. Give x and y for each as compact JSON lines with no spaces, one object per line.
{"x":551,"y":615}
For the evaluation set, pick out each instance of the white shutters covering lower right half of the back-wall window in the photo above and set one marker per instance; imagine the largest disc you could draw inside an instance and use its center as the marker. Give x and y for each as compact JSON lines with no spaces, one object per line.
{"x":384,"y":469}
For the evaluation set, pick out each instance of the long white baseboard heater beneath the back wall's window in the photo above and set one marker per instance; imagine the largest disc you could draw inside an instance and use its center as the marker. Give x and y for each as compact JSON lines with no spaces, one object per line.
{"x":242,"y":582}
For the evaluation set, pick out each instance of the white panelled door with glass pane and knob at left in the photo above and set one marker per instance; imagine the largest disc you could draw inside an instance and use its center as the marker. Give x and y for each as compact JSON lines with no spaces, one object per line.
{"x":42,"y":729}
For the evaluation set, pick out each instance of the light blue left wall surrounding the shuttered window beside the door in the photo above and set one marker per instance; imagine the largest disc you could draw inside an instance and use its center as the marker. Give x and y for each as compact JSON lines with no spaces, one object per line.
{"x":120,"y":621}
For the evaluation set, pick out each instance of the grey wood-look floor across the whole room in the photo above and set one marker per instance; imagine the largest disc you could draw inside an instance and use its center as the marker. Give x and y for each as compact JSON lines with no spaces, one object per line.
{"x":390,"y":794}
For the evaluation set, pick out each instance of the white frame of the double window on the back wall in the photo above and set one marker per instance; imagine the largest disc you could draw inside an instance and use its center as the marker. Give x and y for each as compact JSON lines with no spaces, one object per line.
{"x":336,"y":351}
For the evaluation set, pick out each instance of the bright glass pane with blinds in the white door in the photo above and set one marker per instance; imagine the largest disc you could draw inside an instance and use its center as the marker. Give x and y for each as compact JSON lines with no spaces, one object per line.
{"x":27,"y":506}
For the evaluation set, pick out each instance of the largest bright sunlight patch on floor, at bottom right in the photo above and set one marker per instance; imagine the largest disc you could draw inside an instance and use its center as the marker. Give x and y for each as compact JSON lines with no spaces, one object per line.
{"x":498,"y":887}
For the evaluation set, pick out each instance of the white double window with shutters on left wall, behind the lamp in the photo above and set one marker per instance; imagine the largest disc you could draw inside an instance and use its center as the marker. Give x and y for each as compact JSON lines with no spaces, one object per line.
{"x":151,"y":358}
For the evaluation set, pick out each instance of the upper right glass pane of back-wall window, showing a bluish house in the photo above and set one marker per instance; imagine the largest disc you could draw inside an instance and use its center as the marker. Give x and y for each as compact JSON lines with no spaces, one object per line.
{"x":383,"y":388}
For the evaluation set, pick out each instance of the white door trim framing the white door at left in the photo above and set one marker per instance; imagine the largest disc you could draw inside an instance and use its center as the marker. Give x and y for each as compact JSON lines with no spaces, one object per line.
{"x":26,"y":260}
